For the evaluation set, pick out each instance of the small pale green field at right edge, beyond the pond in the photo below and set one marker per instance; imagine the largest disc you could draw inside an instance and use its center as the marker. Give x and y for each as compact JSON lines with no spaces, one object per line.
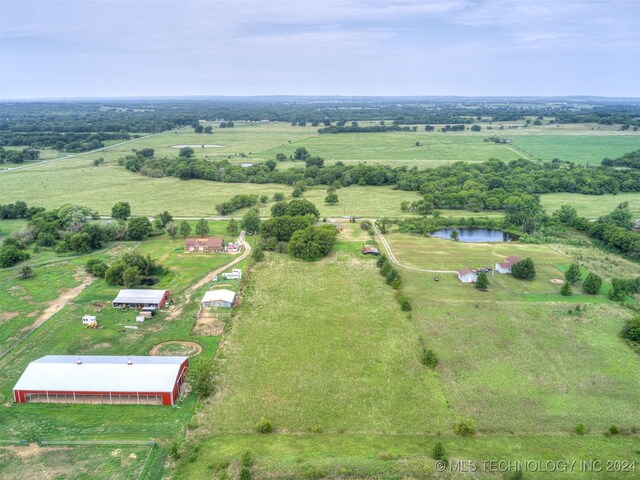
{"x":590,"y":206}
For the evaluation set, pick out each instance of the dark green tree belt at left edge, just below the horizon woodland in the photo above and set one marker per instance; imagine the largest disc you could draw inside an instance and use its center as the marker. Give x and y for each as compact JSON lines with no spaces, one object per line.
{"x":64,"y":142}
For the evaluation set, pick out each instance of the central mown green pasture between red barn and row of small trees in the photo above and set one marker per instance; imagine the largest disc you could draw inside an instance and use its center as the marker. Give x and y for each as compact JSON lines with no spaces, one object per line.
{"x":315,"y":347}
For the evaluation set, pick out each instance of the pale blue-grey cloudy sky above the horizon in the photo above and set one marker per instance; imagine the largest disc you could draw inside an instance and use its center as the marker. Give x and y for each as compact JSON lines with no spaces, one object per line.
{"x":114,"y":48}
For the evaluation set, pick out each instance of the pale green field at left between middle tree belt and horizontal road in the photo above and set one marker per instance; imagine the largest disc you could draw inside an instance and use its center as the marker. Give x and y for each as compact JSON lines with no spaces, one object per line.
{"x":148,"y":196}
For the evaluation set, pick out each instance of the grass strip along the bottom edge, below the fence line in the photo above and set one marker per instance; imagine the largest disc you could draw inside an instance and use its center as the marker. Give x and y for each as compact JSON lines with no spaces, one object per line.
{"x":400,"y":456}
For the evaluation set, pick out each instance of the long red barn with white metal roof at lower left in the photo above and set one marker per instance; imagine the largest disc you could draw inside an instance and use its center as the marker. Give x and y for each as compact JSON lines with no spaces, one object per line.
{"x":109,"y":380}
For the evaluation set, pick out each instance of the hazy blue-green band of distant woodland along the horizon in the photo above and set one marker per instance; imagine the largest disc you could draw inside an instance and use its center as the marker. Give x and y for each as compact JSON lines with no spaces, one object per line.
{"x":153,"y":115}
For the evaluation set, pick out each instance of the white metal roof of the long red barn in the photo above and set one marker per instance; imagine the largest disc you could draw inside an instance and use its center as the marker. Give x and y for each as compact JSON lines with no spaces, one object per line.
{"x":101,"y":374}
